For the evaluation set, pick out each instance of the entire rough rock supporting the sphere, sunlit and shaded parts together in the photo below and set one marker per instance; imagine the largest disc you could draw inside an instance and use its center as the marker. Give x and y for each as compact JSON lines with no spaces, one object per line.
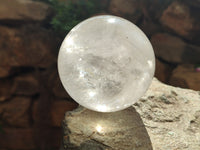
{"x":170,"y":115}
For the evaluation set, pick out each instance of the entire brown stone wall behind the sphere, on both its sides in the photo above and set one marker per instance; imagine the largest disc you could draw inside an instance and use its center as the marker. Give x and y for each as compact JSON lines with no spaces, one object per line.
{"x":32,"y":99}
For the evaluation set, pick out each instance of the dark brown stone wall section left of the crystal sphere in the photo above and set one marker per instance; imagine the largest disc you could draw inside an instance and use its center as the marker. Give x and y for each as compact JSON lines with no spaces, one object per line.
{"x":32,"y":99}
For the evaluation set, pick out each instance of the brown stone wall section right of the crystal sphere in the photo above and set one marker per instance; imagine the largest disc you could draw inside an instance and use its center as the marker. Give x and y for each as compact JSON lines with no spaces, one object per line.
{"x":173,"y":28}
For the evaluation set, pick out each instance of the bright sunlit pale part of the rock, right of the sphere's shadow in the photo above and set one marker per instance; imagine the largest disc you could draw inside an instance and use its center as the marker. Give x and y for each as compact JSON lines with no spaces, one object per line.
{"x":171,"y":116}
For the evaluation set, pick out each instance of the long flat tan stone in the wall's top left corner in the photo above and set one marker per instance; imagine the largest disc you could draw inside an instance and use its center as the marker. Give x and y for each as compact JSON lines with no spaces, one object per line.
{"x":23,"y":10}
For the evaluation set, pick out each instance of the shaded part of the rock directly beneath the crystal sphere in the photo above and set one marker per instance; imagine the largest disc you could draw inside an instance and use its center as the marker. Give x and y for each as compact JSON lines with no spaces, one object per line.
{"x":88,"y":130}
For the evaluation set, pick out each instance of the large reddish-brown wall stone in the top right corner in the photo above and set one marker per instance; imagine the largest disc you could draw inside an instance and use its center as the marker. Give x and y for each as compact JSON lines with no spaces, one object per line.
{"x":182,"y":19}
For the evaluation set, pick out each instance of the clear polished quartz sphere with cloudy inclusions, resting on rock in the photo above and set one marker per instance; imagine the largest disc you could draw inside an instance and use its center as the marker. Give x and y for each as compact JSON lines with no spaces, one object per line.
{"x":106,"y":63}
